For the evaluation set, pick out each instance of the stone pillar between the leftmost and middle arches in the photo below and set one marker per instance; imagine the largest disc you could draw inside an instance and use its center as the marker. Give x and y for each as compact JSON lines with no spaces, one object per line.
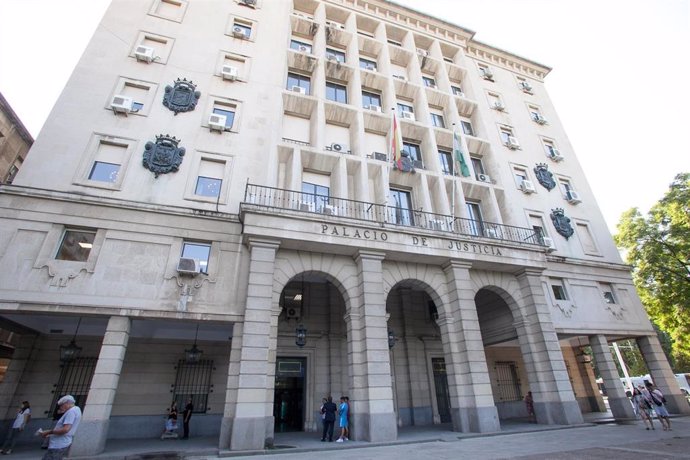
{"x":373,"y":416}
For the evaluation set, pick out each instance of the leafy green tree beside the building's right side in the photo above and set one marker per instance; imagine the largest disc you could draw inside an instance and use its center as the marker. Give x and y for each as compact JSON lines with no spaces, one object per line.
{"x":658,"y":248}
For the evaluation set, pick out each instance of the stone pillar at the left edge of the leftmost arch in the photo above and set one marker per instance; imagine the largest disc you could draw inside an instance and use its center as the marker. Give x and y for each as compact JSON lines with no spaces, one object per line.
{"x":248,"y":416}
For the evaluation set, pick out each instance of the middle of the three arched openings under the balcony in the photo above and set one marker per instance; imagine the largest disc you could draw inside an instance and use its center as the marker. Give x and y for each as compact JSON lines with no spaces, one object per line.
{"x":420,"y":382}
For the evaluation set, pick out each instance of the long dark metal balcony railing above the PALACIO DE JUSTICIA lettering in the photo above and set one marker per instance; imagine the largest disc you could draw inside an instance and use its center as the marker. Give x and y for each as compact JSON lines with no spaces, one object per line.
{"x":381,"y":214}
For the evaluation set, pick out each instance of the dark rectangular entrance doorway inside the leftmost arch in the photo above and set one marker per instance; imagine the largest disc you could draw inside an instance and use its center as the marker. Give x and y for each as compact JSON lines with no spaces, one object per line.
{"x":288,"y":397}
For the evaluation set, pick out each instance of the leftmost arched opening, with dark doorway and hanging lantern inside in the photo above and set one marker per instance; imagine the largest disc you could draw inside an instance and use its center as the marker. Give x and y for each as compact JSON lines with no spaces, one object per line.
{"x":311,"y":352}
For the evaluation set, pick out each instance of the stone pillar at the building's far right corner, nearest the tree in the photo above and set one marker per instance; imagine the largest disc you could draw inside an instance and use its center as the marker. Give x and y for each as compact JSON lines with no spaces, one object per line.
{"x":662,"y":374}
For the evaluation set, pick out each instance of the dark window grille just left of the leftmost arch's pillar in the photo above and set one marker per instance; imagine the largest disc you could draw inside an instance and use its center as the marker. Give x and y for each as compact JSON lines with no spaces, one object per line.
{"x":193,"y":380}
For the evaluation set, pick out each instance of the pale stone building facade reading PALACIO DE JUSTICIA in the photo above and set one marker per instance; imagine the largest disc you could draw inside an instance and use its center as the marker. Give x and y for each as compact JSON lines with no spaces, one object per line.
{"x":216,"y":177}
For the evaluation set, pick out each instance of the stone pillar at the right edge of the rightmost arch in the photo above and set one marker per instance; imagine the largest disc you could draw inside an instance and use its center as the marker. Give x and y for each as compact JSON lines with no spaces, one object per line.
{"x":554,"y":399}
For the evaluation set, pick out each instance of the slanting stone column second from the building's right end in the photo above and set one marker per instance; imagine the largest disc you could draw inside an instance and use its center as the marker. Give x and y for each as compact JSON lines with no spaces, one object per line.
{"x":618,"y":401}
